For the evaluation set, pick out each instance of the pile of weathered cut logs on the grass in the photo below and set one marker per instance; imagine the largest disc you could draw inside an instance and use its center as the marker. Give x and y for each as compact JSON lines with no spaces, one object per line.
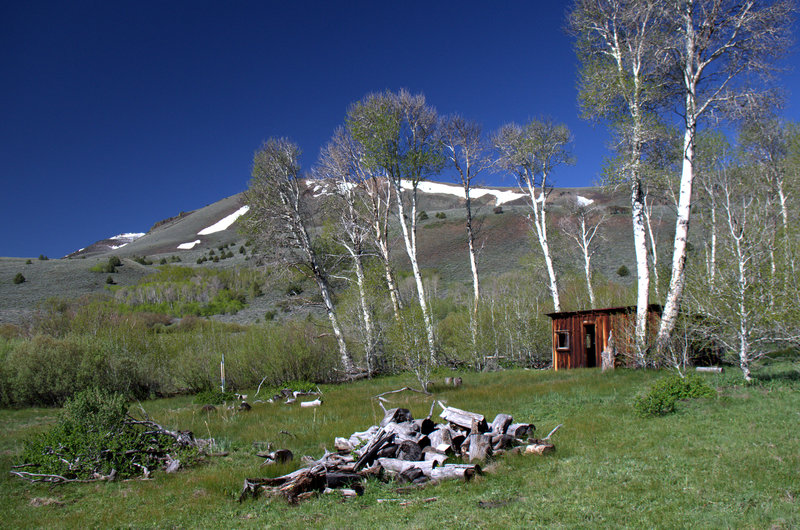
{"x":408,"y":450}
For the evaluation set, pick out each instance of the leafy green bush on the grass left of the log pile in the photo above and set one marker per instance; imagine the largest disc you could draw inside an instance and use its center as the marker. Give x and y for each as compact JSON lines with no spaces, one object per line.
{"x":94,"y":436}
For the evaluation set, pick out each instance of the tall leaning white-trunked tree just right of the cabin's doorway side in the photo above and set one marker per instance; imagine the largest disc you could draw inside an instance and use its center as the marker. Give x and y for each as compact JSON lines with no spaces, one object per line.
{"x":719,"y":47}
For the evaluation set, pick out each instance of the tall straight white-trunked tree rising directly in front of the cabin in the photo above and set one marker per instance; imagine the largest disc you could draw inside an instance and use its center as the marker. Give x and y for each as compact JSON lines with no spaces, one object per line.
{"x":621,"y":48}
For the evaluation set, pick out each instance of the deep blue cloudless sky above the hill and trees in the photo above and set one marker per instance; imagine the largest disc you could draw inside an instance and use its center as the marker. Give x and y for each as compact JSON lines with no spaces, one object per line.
{"x":114,"y":115}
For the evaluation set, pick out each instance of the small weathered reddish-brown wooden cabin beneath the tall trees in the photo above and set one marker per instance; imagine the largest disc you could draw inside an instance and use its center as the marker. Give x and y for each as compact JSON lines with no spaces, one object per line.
{"x":579,"y":337}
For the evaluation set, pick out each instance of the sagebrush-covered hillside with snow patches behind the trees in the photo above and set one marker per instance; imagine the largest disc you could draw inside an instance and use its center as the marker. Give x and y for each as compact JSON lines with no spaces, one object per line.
{"x":504,"y":237}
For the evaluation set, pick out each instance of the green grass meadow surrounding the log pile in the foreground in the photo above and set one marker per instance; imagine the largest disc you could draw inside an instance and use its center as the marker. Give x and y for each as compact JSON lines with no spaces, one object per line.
{"x":729,"y":461}
